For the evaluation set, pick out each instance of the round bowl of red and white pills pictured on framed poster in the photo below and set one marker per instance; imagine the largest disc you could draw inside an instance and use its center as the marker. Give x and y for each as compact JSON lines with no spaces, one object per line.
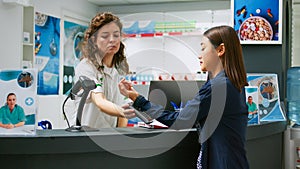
{"x":256,"y":28}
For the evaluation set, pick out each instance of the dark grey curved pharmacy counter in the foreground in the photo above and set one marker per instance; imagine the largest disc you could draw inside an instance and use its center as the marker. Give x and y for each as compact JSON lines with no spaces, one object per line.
{"x":131,"y":148}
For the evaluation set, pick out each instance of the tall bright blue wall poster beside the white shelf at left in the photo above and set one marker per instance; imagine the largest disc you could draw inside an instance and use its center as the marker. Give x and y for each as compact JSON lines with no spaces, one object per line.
{"x":47,"y":50}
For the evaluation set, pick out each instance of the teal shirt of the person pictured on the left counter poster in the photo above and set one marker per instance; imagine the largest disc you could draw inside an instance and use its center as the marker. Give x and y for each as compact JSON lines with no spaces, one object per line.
{"x":14,"y":117}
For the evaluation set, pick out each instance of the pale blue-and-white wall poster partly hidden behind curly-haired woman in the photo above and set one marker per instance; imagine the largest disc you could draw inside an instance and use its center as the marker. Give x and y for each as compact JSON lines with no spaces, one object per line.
{"x":73,"y":39}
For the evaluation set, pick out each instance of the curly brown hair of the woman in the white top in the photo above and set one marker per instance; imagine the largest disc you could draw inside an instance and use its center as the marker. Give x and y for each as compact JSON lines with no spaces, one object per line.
{"x":90,"y":49}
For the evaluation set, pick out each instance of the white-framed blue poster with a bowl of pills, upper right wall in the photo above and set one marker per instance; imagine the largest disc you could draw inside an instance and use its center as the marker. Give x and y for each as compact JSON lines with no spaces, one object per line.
{"x":258,"y":22}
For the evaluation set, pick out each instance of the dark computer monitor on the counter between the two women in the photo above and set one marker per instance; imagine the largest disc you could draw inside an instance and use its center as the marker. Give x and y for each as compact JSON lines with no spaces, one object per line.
{"x":163,"y":92}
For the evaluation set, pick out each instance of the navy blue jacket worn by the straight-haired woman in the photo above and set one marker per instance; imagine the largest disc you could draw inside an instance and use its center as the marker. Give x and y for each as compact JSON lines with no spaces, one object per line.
{"x":225,"y":148}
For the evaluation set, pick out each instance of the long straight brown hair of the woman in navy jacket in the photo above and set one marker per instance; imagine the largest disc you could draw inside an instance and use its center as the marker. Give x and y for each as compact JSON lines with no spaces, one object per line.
{"x":233,"y":61}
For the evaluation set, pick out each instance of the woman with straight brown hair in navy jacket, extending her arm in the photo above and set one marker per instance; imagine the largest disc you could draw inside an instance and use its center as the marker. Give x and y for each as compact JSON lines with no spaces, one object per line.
{"x":218,"y":110}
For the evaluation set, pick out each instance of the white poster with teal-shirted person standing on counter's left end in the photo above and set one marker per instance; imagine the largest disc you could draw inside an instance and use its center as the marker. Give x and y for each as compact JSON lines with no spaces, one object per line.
{"x":18,"y":101}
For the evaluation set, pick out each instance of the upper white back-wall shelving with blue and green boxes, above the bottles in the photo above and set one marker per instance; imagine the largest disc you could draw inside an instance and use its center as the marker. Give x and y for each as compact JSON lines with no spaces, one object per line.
{"x":166,"y":39}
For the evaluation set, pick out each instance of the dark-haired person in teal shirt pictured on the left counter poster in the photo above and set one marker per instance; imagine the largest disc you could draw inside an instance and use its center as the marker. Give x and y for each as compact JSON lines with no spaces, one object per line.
{"x":11,"y":114}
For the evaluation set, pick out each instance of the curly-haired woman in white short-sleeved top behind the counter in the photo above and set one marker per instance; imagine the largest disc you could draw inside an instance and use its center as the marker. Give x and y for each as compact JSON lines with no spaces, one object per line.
{"x":103,"y":61}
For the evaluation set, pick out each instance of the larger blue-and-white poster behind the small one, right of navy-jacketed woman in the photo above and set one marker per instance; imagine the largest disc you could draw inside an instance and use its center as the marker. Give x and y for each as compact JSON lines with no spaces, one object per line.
{"x":268,"y":96}
